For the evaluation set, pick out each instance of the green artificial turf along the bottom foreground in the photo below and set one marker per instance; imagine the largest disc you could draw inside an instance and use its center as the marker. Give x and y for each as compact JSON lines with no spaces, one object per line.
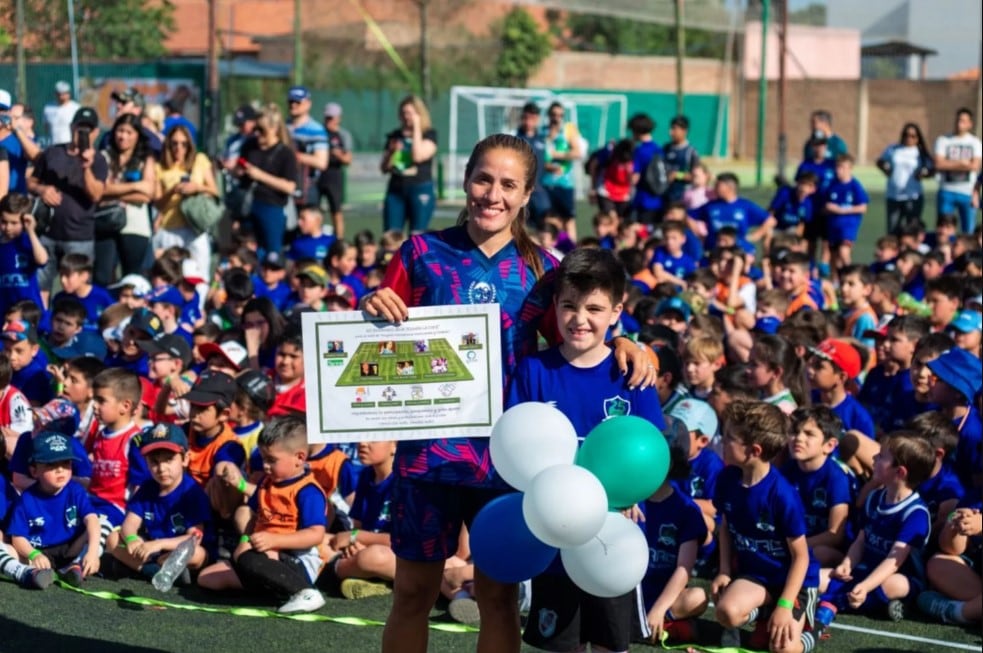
{"x":63,"y":621}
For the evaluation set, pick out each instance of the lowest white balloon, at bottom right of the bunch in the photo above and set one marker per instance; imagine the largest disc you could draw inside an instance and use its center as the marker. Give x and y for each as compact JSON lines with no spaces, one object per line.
{"x":613,"y":562}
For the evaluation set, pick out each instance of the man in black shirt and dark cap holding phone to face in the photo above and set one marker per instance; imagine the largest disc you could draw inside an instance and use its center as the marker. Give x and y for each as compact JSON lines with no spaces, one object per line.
{"x":70,"y":180}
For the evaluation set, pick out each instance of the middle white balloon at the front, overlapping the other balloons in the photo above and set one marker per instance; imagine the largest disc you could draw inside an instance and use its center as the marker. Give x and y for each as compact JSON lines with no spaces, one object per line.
{"x":565,"y":505}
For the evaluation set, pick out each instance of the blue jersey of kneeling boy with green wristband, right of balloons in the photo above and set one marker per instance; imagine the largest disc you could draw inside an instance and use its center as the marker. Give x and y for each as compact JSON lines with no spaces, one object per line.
{"x":761,"y":519}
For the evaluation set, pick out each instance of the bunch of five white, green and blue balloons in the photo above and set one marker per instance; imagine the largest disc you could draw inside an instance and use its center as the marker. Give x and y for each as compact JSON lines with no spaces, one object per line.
{"x":568,"y":499}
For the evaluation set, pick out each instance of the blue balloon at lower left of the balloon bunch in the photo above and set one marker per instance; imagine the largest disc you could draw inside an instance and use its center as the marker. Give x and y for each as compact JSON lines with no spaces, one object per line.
{"x":503,"y":547}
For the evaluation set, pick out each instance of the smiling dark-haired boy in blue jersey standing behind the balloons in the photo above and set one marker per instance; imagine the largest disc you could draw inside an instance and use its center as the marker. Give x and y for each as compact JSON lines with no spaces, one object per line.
{"x":581,"y":378}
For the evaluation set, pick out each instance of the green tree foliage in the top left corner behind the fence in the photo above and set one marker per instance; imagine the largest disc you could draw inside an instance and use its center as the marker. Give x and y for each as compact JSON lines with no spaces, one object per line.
{"x":105,"y":29}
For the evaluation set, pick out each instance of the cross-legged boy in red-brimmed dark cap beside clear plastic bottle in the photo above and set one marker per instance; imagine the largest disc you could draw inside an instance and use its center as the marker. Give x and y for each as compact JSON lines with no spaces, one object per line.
{"x":166,"y":510}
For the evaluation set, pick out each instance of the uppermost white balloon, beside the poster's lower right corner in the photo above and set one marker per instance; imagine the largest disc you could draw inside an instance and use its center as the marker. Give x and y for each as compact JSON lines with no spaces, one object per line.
{"x":528,"y":438}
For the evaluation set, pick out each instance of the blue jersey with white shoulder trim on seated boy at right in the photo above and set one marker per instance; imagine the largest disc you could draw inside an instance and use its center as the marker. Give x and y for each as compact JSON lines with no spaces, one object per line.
{"x":907,"y":521}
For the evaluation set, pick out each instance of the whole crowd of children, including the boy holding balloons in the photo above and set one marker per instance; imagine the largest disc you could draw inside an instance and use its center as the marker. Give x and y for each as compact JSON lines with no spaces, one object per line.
{"x":823,"y":415}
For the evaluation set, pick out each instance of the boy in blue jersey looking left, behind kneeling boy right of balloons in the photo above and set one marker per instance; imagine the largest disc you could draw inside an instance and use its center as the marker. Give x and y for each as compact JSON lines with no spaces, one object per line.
{"x":823,"y":486}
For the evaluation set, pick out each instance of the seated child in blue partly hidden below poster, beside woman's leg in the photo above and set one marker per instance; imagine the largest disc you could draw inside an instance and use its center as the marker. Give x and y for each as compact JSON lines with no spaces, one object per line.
{"x":364,"y":552}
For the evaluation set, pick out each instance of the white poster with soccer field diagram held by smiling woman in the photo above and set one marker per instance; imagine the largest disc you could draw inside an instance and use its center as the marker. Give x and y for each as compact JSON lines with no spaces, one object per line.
{"x":438,"y":374}
